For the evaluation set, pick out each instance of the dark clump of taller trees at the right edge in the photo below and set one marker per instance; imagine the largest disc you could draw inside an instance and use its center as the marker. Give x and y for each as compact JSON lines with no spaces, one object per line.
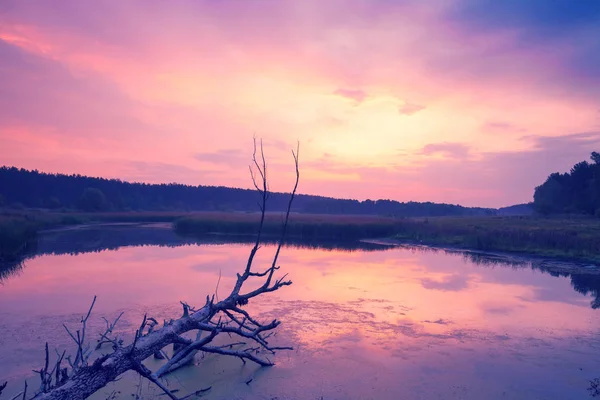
{"x":574,"y":192}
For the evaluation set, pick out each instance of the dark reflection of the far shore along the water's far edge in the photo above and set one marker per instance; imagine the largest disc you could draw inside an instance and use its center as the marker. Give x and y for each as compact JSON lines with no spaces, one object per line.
{"x":77,"y":241}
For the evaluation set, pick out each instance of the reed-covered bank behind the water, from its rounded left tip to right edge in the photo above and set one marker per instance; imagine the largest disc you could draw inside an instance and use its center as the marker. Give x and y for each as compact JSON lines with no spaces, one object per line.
{"x":574,"y":238}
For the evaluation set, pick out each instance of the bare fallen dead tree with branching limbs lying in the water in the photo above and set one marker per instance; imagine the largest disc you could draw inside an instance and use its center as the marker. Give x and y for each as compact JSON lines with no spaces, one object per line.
{"x":79,"y":377}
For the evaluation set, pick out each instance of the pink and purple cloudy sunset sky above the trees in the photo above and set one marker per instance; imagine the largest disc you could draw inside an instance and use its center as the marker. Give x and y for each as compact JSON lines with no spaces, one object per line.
{"x":456,"y":101}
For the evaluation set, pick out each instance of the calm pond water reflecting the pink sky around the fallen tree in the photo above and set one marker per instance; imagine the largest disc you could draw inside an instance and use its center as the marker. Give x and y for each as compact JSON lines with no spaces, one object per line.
{"x":370,"y":323}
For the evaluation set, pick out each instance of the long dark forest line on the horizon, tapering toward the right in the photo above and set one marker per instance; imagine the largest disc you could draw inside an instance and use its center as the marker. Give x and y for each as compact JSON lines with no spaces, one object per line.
{"x":20,"y":188}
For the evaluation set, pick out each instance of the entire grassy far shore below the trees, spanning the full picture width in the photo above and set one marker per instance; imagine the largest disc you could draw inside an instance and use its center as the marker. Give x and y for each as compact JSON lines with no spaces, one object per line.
{"x":568,"y":238}
